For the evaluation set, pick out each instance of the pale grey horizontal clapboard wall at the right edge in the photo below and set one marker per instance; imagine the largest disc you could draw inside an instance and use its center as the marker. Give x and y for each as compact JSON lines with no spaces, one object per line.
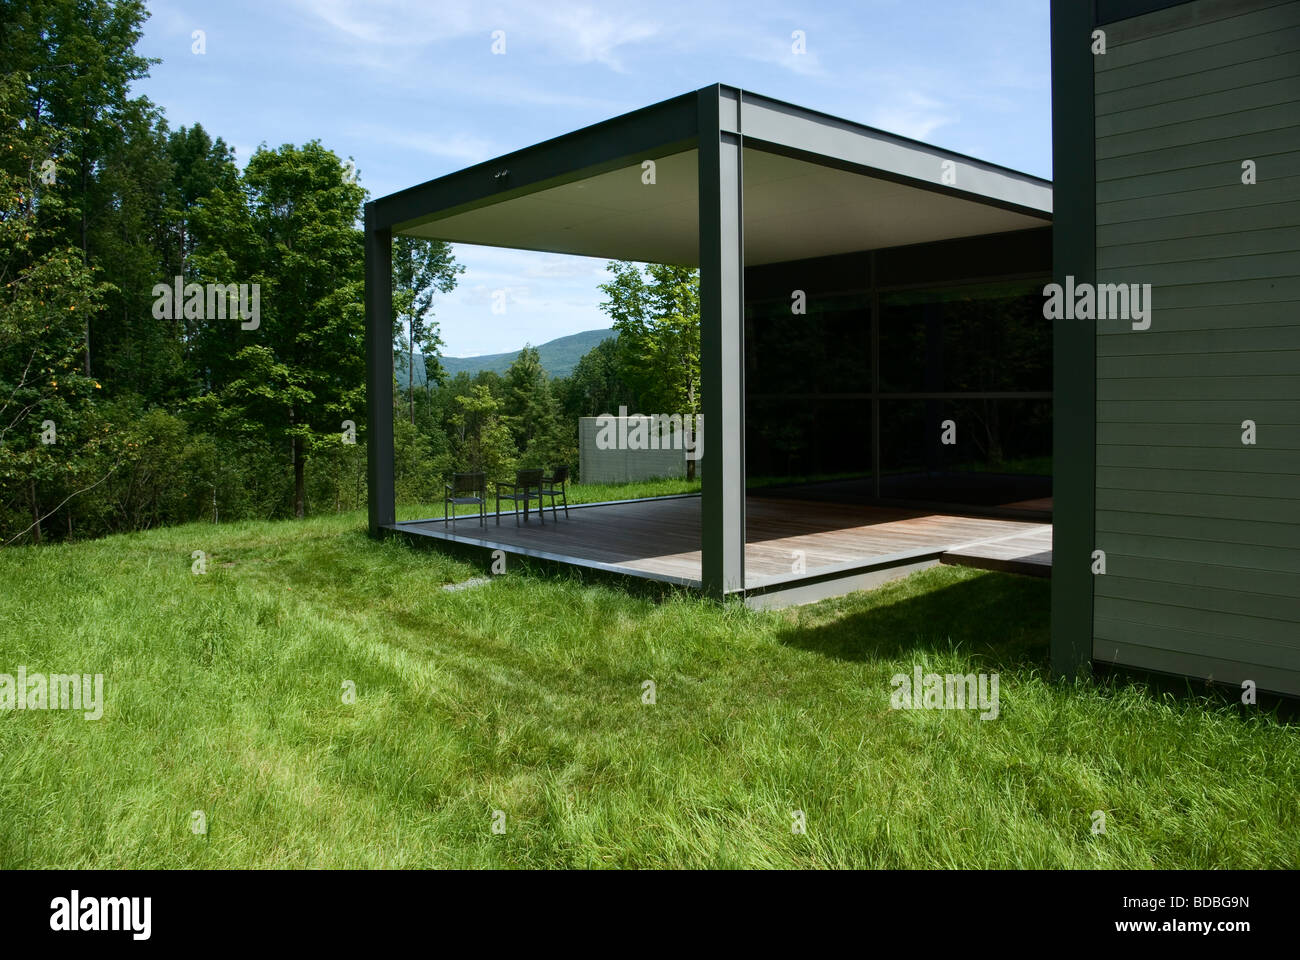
{"x":1202,"y":533}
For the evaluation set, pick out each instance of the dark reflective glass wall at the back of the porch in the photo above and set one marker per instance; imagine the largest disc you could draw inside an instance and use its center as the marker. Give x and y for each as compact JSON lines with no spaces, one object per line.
{"x":918,"y":375}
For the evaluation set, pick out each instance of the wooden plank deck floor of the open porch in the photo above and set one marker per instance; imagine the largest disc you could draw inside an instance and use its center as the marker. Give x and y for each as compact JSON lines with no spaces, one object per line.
{"x":787,"y":540}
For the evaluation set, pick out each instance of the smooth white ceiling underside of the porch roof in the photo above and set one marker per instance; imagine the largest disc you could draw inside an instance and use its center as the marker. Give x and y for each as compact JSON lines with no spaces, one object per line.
{"x":794,"y":210}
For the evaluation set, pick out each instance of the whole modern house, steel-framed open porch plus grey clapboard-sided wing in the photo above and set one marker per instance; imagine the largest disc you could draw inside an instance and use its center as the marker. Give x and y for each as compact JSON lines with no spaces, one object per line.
{"x":882,"y":390}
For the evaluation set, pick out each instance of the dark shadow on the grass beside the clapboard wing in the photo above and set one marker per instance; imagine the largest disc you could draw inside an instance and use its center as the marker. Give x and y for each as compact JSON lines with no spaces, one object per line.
{"x":1002,"y":619}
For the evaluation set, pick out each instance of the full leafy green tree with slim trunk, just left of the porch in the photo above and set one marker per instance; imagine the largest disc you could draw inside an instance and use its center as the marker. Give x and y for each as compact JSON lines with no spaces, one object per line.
{"x":301,"y":374}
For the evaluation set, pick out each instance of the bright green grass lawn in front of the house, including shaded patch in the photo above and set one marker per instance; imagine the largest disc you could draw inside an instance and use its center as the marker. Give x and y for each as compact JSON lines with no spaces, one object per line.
{"x":224,"y":695}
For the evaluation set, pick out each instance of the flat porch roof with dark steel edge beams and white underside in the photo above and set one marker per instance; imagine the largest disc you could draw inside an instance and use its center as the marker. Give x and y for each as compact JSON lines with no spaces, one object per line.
{"x":813,"y":185}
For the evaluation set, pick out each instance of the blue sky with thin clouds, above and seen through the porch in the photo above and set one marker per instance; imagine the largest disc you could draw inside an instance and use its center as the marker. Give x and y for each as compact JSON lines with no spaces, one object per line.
{"x":411,"y":90}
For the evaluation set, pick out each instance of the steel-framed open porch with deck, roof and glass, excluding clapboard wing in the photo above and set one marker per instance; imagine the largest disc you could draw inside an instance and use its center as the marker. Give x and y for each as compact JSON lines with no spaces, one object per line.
{"x":876,"y":370}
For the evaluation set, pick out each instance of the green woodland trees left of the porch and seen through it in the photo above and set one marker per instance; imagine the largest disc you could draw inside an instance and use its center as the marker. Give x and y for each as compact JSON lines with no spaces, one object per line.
{"x":170,"y":417}
